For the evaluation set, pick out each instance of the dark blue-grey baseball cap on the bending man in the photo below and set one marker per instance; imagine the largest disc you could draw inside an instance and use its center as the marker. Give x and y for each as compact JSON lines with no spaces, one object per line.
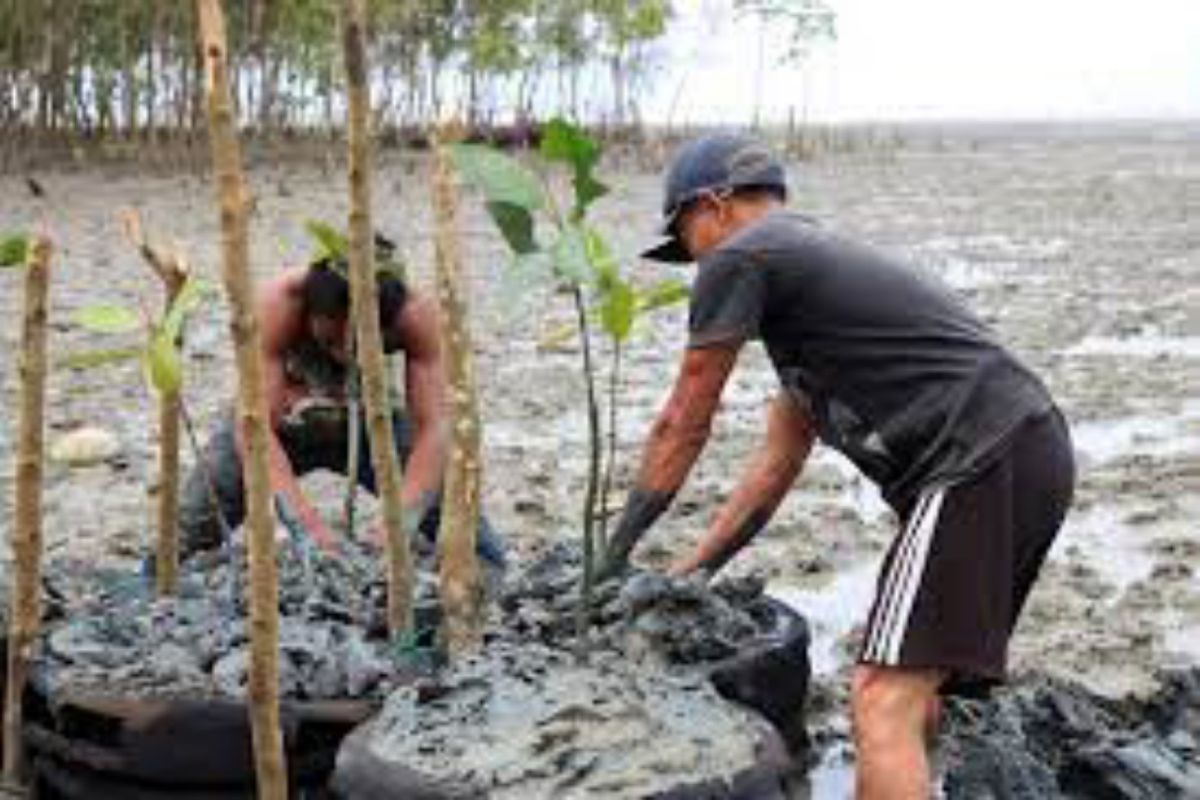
{"x":712,"y":164}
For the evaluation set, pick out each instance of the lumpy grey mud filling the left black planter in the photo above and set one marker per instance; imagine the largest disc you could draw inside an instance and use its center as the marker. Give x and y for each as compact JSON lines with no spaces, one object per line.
{"x":115,"y":637}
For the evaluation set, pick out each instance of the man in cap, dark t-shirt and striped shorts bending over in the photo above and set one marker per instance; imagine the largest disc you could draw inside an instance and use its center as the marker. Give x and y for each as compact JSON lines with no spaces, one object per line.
{"x":893,"y":371}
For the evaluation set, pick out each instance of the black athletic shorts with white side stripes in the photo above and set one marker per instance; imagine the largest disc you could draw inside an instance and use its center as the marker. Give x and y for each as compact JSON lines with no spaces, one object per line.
{"x":955,"y":581}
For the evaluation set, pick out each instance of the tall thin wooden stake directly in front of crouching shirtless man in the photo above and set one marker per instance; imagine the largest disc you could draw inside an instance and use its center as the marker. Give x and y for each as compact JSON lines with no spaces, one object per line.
{"x":364,"y":303}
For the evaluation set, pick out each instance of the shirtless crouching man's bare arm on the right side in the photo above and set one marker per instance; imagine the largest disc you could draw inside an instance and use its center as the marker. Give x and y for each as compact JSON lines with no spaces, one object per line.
{"x":425,"y":383}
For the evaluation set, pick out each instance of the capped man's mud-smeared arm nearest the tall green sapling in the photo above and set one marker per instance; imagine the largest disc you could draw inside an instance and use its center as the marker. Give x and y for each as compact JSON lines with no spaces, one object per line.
{"x":676,"y":441}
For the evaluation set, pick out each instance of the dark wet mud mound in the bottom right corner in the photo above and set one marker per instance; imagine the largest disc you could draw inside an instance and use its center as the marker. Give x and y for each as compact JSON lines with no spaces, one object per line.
{"x":1054,"y":739}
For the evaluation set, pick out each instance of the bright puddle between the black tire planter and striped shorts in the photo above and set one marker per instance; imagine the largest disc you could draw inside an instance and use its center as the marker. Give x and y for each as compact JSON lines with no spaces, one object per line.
{"x":832,"y":611}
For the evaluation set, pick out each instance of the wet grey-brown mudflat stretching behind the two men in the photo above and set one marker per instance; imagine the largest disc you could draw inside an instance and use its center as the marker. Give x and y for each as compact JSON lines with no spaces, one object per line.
{"x":1081,"y":246}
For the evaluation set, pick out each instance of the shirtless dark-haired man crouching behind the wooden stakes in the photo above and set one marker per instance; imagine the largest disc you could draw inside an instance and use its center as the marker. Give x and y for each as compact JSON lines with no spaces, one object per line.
{"x":304,"y":317}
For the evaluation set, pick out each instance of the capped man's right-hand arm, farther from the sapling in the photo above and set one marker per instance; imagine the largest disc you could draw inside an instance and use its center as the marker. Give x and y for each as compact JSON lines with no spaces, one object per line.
{"x":766,"y":482}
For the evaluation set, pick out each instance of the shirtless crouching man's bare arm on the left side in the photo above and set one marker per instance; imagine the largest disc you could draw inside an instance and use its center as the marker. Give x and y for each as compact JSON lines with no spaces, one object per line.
{"x":279,"y":318}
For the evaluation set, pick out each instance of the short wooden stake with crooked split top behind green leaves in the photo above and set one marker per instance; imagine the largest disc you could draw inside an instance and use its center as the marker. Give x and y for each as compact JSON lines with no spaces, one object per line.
{"x":172,"y":272}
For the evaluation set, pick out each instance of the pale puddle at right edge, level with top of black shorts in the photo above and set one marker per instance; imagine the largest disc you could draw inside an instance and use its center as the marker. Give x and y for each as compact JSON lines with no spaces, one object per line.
{"x":1105,"y":441}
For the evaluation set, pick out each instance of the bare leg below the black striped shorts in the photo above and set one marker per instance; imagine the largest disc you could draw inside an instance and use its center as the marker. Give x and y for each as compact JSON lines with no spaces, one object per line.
{"x":893,"y":712}
